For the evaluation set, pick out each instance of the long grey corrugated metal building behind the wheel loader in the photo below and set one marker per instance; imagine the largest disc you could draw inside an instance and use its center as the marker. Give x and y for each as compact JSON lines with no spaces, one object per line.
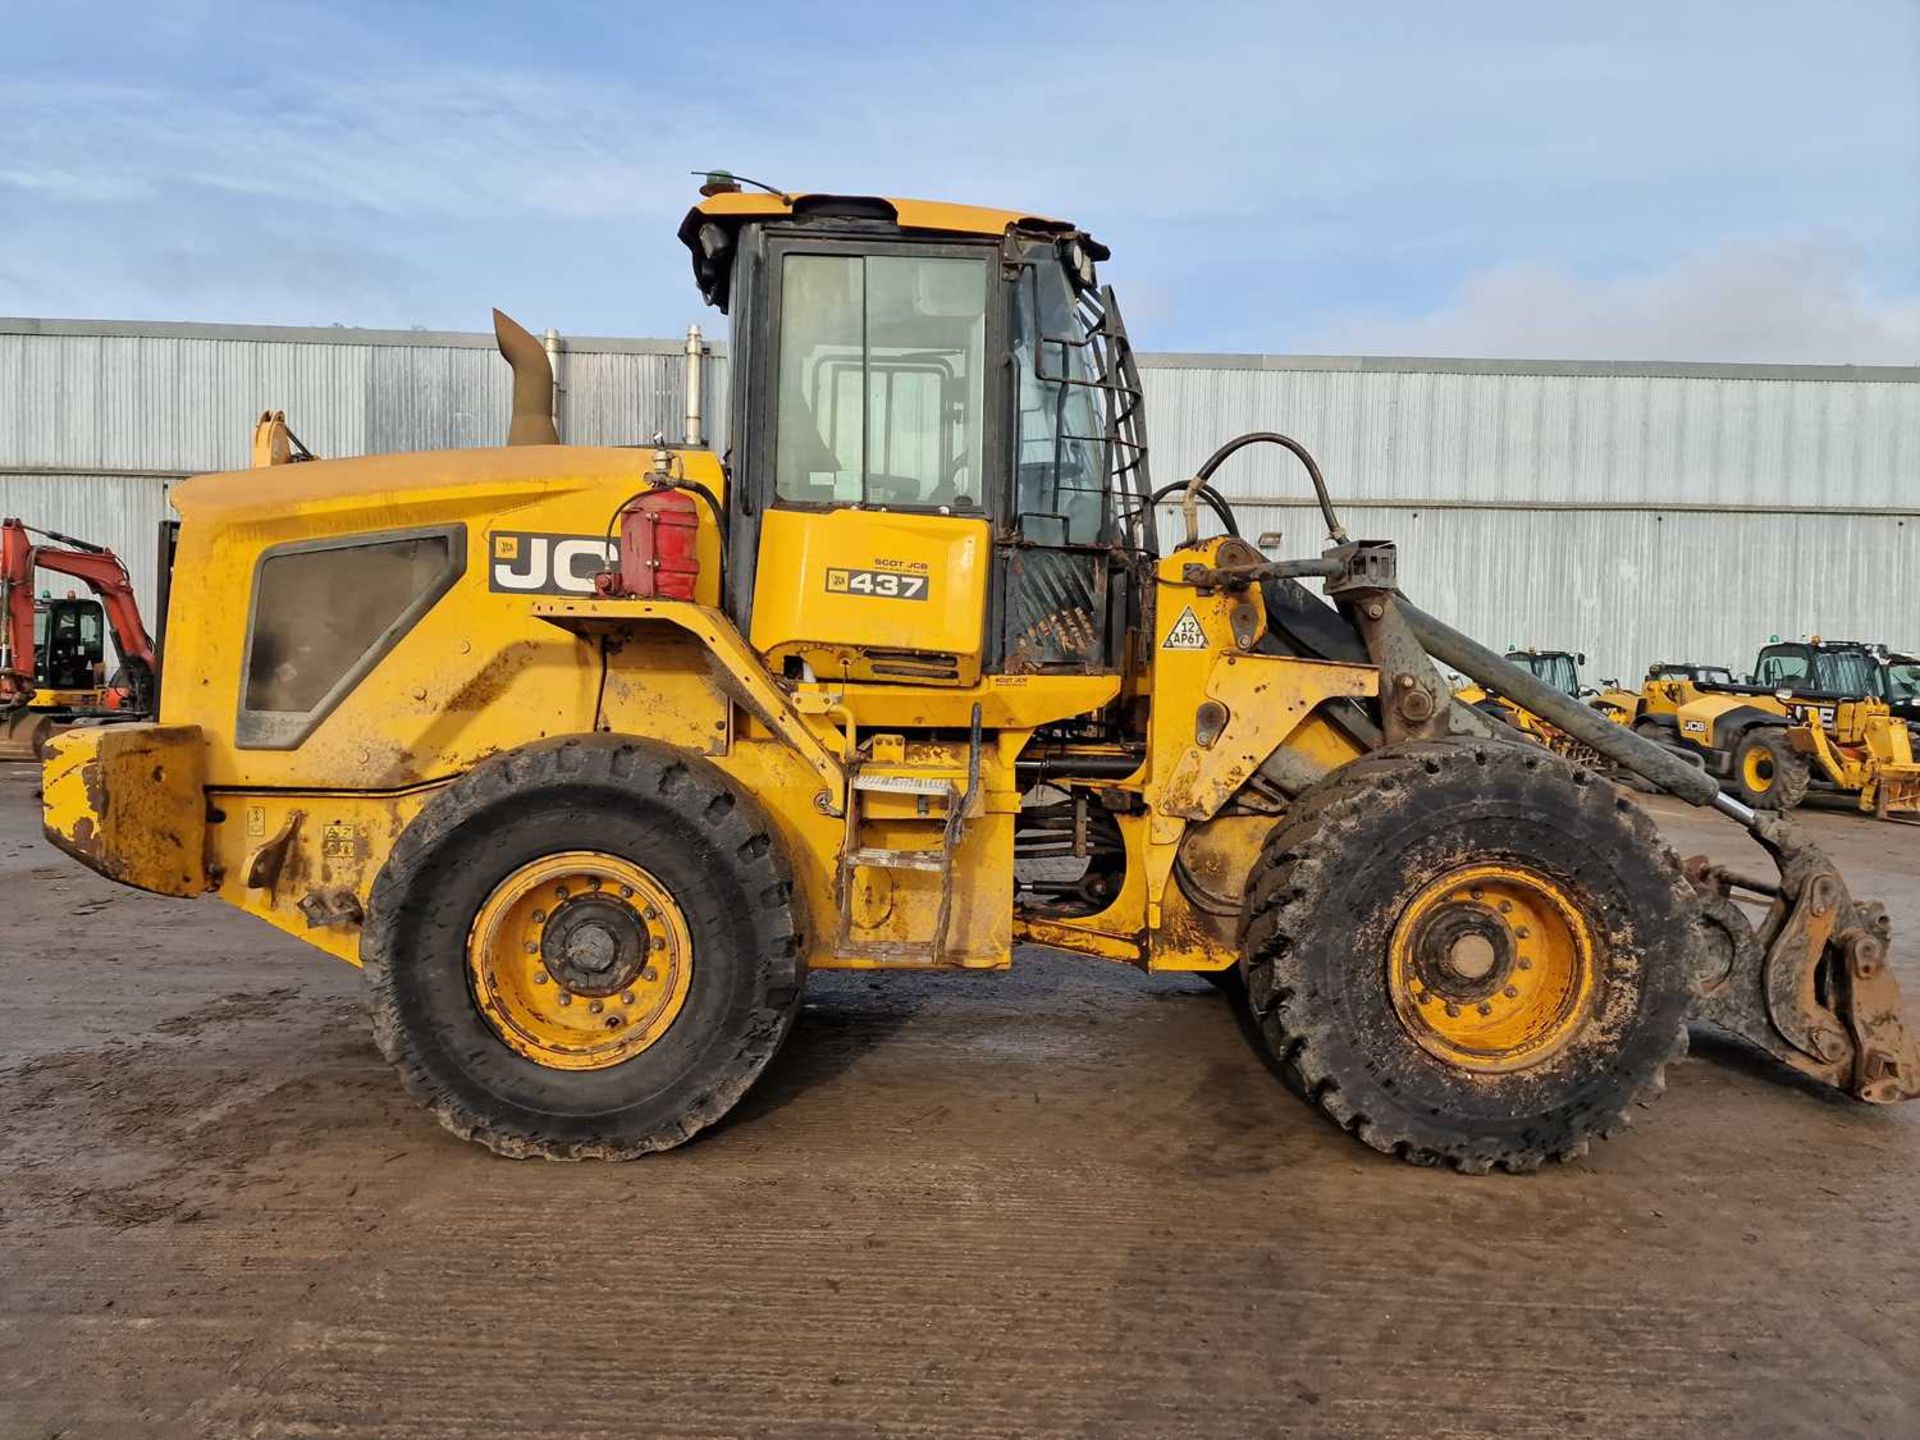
{"x":1635,"y":512}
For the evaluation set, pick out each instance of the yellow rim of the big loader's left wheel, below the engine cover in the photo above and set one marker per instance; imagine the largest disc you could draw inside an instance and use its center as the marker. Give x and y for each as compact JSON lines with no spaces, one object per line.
{"x":581,"y":961}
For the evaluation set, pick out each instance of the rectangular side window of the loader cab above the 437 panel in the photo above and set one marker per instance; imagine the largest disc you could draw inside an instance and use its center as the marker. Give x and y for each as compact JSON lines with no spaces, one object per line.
{"x":882,"y":381}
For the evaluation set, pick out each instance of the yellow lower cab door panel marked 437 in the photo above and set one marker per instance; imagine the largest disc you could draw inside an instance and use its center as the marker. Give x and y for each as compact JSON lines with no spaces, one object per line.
{"x":873,"y":594}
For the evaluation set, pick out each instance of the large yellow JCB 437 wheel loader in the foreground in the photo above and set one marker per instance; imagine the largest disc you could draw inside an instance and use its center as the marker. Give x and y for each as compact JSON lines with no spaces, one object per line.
{"x":588,"y":756}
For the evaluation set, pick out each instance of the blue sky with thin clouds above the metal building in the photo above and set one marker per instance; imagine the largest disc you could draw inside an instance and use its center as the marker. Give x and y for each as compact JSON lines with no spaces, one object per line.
{"x":1633,"y":181}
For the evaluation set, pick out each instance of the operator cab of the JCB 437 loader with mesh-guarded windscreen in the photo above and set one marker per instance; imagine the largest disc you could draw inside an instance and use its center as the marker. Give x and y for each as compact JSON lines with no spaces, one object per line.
{"x":938,"y":468}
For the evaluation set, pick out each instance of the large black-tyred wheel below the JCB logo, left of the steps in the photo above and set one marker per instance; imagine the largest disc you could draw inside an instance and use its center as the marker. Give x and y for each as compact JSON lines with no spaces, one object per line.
{"x":585,"y":949}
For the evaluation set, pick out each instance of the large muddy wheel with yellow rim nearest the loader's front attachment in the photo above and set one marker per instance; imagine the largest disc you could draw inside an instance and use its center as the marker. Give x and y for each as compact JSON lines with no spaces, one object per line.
{"x":1441,"y":850}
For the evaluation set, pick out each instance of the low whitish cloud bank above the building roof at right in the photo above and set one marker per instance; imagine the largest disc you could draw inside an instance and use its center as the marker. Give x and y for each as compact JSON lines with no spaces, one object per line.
{"x":1787,"y":300}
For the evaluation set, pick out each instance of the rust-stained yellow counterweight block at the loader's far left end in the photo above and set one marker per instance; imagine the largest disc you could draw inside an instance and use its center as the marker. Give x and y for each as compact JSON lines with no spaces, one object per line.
{"x":130,"y":804}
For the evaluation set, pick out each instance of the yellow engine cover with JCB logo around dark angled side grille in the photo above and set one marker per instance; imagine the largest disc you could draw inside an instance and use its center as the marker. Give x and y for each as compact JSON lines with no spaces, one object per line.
{"x":477,"y":673}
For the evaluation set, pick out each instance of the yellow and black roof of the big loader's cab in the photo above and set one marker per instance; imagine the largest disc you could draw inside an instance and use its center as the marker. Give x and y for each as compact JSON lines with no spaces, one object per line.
{"x":729,"y":210}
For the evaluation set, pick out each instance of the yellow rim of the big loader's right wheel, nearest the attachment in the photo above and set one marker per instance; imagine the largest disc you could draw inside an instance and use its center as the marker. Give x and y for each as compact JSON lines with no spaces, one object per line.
{"x":1493,"y":969}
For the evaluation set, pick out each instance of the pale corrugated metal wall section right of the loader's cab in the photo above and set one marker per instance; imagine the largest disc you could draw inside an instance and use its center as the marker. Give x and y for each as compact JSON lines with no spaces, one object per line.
{"x":1637,"y":512}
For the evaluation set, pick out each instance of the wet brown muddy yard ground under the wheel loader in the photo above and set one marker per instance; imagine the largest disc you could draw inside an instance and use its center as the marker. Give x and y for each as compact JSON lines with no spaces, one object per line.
{"x":1065,"y":1201}
